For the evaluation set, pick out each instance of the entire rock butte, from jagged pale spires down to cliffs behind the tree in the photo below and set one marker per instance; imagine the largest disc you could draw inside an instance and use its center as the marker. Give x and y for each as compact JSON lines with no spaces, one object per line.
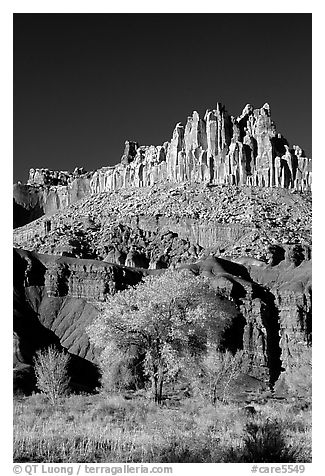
{"x":226,"y":197}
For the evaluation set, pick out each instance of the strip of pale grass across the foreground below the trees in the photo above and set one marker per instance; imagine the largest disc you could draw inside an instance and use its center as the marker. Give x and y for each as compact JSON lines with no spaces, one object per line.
{"x":99,"y":428}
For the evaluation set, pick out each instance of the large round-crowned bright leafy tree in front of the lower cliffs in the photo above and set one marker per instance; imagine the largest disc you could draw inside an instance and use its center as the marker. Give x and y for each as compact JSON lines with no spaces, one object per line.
{"x":168,"y":318}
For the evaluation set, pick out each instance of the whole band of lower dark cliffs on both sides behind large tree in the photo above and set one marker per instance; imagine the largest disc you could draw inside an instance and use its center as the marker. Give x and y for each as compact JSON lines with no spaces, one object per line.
{"x":56,"y":298}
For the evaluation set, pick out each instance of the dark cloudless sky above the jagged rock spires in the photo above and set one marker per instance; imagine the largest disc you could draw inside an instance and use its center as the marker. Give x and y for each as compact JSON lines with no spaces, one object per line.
{"x":84,"y":83}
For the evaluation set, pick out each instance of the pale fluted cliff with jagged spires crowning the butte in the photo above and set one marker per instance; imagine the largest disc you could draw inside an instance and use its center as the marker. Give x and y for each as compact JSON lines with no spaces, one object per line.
{"x":215,"y":149}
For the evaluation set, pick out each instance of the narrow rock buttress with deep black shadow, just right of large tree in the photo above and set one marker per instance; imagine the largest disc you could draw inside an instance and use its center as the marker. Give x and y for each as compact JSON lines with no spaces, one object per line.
{"x":256,"y":329}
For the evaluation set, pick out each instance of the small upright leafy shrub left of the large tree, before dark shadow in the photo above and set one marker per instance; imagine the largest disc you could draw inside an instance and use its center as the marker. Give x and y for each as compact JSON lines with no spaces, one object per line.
{"x":51,"y":370}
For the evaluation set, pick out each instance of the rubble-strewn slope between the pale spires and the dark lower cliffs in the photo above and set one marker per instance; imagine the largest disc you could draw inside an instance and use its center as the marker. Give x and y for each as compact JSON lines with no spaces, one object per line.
{"x":167,"y":224}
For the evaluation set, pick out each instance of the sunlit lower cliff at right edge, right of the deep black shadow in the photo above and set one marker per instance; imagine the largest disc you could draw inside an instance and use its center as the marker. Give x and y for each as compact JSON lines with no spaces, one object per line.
{"x":290,"y":284}
